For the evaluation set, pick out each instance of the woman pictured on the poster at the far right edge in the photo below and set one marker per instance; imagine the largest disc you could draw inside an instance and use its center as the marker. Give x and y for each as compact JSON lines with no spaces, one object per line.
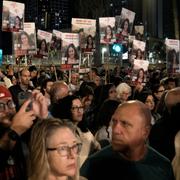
{"x":173,"y":61}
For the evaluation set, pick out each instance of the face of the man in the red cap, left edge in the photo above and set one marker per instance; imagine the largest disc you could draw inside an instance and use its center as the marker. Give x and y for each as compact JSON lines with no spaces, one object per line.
{"x":7,"y":111}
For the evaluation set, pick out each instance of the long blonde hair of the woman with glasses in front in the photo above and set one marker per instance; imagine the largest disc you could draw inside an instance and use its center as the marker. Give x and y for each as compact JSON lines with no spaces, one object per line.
{"x":38,"y":166}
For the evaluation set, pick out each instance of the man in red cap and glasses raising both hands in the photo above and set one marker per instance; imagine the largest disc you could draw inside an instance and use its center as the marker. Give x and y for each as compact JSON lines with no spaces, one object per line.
{"x":12,"y":126}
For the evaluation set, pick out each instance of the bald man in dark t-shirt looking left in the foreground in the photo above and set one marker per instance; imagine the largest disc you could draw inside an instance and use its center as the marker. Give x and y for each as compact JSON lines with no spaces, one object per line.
{"x":129,"y":156}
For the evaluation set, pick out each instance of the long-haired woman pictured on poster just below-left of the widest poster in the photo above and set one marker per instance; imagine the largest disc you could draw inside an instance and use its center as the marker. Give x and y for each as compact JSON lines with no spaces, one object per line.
{"x":71,"y":54}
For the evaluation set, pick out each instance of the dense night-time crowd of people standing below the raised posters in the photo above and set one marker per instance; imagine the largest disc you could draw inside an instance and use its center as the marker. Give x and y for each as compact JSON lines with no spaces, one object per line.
{"x":87,"y":127}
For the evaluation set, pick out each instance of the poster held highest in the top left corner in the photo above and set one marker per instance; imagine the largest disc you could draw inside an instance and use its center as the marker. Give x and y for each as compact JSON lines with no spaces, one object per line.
{"x":12,"y":16}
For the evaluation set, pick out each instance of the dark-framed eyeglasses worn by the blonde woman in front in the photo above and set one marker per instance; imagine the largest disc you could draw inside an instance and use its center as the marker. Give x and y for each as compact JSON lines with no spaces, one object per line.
{"x":66,"y":150}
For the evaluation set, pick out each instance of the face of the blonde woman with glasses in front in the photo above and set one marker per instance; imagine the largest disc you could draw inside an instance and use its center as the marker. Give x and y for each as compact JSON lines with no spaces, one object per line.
{"x":63,"y":161}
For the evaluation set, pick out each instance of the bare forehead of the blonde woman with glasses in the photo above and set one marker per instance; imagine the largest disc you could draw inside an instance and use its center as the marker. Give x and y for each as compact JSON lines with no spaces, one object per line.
{"x":67,"y":137}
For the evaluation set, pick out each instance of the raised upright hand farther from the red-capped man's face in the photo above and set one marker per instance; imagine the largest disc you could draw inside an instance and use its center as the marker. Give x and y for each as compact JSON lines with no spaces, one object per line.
{"x":39,"y":104}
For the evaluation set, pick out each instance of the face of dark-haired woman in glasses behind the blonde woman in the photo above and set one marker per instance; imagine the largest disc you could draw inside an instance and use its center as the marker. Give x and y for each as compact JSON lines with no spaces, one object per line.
{"x":77,"y":110}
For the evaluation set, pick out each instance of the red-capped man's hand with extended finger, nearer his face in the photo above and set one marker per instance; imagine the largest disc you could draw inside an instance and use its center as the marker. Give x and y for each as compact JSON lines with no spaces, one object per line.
{"x":23,"y":119}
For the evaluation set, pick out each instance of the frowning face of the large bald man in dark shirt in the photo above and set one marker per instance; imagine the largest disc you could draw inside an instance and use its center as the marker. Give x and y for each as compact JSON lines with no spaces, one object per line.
{"x":128,"y":129}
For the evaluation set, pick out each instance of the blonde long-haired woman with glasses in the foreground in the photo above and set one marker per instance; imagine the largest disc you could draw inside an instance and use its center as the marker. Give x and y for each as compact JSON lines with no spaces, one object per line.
{"x":54,"y":151}
